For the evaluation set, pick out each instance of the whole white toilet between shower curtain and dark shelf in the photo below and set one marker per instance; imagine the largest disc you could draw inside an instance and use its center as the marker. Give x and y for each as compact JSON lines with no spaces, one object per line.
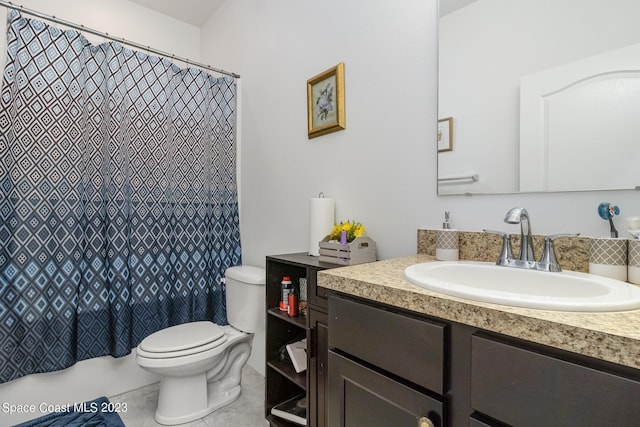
{"x":200,"y":363}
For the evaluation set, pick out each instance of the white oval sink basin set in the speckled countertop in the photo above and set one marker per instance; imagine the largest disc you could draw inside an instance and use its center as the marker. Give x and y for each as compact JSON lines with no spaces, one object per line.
{"x":487,"y":282}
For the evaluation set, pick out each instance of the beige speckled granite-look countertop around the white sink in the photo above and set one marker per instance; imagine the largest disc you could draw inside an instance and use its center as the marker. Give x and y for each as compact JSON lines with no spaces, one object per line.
{"x":610,"y":336}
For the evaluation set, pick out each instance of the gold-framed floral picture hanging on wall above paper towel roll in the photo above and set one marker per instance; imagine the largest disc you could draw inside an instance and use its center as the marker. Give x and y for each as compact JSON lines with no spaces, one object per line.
{"x":325,"y":102}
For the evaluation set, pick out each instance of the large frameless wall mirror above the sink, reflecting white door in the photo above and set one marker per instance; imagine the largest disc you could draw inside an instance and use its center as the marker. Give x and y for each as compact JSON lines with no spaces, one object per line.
{"x":538,"y":95}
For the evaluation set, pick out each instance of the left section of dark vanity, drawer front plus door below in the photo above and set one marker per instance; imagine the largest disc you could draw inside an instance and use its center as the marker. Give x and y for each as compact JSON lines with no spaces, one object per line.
{"x":385,"y":368}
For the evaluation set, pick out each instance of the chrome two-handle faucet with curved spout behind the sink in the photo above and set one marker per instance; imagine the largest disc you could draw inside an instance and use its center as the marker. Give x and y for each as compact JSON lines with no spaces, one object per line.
{"x":526,"y":259}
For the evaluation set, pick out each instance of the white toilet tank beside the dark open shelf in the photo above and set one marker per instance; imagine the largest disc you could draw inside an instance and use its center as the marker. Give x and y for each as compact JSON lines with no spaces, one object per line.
{"x":245,"y":297}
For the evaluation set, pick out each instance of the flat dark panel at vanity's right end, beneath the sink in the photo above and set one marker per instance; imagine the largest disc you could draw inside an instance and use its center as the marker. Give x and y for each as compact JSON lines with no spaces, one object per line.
{"x":522,"y":387}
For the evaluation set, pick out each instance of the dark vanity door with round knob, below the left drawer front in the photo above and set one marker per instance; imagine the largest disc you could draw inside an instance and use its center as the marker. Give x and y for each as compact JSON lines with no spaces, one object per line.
{"x":360,"y":396}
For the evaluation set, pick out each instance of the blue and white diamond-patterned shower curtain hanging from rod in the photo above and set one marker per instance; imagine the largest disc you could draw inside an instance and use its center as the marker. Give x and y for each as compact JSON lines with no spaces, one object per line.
{"x":118,"y":199}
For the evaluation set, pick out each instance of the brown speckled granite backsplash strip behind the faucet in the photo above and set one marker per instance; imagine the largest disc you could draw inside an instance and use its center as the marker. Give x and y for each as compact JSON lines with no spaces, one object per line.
{"x":572,"y":252}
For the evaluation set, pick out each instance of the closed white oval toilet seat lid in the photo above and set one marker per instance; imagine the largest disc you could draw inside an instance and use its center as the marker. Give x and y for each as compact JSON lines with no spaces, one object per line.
{"x":182,"y":340}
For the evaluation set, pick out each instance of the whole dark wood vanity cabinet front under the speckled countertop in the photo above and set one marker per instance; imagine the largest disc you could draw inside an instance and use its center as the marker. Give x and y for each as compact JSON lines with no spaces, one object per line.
{"x":389,"y":364}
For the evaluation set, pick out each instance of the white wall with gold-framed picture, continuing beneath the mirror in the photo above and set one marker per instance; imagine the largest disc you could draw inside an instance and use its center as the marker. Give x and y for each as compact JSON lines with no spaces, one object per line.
{"x":382,"y":169}
